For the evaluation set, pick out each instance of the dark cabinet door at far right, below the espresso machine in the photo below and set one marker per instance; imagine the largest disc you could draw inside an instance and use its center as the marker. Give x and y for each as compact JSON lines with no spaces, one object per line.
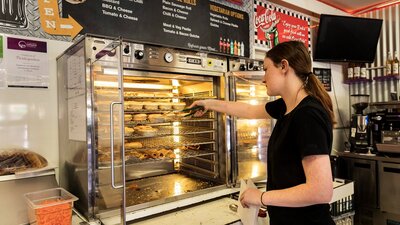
{"x":389,"y":174}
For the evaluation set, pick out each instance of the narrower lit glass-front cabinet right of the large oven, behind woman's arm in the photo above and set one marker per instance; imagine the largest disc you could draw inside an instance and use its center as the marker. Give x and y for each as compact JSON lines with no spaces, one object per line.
{"x":248,"y":137}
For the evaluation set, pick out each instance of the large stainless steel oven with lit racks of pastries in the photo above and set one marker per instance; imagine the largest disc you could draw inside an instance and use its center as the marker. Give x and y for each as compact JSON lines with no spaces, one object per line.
{"x":127,"y":150}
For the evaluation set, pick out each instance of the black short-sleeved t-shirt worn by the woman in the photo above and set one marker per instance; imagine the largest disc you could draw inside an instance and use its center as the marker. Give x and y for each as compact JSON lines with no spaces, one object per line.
{"x":304,"y":131}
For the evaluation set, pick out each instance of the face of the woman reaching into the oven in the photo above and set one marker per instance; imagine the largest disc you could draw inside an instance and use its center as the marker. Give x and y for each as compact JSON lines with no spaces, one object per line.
{"x":272,"y":77}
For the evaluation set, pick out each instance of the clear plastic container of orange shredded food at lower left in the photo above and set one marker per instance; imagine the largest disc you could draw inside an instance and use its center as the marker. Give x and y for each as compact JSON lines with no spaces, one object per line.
{"x":51,"y":206}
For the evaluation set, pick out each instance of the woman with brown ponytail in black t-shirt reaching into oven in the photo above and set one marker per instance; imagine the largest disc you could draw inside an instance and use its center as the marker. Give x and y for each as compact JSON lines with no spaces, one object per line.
{"x":299,"y":184}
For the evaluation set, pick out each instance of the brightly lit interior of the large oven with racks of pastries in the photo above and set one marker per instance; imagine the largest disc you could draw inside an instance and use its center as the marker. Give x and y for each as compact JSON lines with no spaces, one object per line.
{"x":169,"y":154}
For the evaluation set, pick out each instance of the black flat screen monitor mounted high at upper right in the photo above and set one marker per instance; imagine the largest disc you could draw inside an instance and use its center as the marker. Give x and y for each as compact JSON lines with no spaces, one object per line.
{"x":347,"y":39}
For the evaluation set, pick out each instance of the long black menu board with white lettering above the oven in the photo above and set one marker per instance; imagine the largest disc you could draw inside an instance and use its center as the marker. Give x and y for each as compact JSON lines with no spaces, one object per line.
{"x":190,"y":24}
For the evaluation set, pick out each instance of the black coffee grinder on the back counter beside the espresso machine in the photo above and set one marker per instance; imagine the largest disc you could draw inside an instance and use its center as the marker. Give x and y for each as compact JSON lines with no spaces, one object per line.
{"x":359,"y":135}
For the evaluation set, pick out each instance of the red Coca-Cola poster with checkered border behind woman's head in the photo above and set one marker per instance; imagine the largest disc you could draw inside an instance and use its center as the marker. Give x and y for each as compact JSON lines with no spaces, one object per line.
{"x":274,"y":24}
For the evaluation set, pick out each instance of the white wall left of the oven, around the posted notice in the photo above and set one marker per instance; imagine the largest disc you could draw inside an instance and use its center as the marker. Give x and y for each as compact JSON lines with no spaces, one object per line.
{"x":28,"y":116}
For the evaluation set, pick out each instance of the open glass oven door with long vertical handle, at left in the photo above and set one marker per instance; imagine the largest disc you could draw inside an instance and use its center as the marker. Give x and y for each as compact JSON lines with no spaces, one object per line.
{"x":108,"y":130}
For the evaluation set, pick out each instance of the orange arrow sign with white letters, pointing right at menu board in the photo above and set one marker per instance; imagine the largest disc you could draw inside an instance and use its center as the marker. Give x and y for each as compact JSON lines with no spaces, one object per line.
{"x":53,"y":24}
